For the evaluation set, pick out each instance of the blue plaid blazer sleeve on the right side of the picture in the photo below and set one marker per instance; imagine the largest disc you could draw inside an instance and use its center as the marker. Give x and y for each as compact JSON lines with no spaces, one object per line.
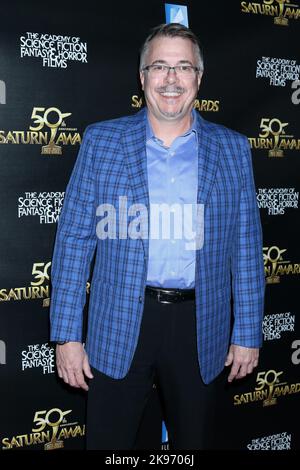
{"x":247,"y":267}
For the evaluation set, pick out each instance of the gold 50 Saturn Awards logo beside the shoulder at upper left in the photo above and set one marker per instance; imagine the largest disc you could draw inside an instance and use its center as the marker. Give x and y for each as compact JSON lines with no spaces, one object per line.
{"x":51,"y":140}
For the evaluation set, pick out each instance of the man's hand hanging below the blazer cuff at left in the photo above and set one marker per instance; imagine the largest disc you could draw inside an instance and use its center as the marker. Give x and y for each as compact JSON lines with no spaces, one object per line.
{"x":72,"y":364}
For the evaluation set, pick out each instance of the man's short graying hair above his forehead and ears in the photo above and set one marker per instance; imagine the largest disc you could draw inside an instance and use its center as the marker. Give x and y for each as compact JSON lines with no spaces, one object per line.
{"x":172,"y":30}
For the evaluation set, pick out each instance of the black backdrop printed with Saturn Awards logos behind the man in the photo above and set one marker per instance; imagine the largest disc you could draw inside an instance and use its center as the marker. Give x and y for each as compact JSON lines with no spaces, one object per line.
{"x":62,"y":68}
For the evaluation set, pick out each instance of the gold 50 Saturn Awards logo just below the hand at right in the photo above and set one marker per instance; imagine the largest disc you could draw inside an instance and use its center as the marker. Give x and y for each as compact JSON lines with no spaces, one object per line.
{"x":270,"y":386}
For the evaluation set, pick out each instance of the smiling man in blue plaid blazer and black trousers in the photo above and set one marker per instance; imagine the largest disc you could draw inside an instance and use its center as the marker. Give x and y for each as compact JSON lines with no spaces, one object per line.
{"x":159,"y":310}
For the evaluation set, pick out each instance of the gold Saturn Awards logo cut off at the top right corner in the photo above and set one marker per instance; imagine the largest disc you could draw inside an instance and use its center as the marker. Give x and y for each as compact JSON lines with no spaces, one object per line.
{"x":281,"y":10}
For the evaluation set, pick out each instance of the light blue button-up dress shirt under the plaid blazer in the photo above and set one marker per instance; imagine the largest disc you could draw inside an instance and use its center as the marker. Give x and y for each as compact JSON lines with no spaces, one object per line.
{"x":172,"y":179}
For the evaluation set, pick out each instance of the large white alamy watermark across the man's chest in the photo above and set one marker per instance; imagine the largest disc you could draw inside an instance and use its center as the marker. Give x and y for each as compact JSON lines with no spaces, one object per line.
{"x":167,"y":222}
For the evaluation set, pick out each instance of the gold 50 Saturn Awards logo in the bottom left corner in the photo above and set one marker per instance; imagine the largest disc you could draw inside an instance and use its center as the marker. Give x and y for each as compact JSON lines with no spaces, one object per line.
{"x":51,"y":428}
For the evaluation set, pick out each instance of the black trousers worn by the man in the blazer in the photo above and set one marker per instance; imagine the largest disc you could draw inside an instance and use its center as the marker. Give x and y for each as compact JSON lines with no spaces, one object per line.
{"x":166,"y":352}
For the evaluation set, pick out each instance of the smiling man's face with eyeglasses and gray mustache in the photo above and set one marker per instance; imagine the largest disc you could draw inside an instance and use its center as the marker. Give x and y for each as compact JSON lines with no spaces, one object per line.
{"x":170,"y":97}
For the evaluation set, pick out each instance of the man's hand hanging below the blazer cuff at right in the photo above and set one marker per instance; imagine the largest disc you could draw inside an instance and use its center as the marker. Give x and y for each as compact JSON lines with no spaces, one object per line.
{"x":243,"y":361}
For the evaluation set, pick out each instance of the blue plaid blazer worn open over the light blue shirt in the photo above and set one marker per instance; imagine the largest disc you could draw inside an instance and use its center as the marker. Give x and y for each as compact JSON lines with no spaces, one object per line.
{"x":112,"y":163}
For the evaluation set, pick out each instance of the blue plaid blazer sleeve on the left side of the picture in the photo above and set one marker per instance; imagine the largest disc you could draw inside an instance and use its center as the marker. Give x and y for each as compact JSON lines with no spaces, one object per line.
{"x":74,"y":248}
